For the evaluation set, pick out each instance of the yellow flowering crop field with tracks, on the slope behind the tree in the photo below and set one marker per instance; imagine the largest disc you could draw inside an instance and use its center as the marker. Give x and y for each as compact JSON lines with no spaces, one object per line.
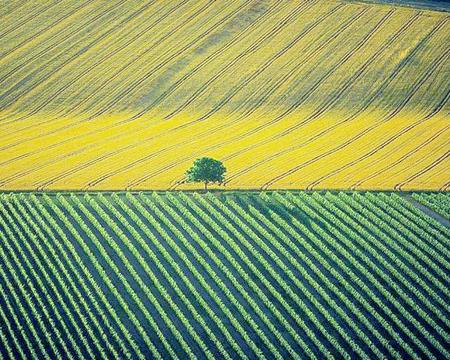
{"x":288,"y":94}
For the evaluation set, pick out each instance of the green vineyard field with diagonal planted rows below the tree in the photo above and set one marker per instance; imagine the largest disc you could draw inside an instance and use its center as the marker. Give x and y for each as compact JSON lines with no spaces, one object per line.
{"x":222,"y":276}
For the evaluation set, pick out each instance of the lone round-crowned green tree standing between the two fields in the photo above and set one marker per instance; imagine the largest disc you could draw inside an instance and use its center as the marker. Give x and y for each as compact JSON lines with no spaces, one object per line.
{"x":206,"y":170}
